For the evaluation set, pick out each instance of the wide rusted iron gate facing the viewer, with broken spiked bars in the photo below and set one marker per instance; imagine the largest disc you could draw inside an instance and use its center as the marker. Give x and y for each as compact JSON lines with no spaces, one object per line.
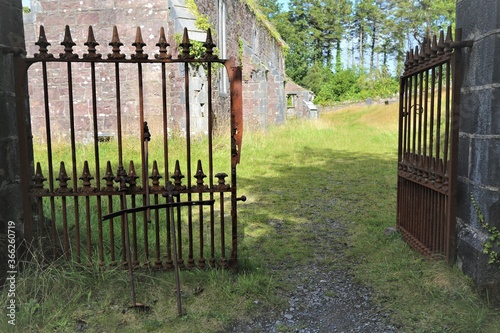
{"x":79,"y":207}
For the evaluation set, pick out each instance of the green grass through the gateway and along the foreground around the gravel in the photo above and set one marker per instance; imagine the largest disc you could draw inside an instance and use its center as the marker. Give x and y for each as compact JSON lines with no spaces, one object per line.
{"x":341,"y":167}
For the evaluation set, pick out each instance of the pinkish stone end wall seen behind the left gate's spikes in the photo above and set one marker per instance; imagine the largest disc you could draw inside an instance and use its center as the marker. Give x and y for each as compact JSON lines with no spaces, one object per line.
{"x":54,"y":15}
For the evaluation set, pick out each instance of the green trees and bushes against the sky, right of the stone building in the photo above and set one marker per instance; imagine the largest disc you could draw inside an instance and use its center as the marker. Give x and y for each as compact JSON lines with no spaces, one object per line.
{"x":361,"y":42}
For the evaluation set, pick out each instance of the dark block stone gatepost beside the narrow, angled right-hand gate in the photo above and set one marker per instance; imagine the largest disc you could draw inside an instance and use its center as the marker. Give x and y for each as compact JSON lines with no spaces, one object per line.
{"x":479,"y":143}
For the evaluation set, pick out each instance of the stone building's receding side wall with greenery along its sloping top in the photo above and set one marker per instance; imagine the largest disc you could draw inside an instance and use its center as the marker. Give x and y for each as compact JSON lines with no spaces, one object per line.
{"x":249,"y":40}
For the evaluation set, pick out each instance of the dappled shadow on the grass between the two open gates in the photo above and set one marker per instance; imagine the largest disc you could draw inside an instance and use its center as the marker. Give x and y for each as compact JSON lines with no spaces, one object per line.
{"x":292,"y":196}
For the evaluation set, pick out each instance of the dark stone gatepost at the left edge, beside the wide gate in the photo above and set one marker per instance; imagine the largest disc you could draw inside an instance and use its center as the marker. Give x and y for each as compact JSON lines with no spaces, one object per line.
{"x":11,"y":209}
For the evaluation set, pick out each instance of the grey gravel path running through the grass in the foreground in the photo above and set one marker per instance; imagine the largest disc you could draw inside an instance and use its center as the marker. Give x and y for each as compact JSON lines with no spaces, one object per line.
{"x":325,"y":299}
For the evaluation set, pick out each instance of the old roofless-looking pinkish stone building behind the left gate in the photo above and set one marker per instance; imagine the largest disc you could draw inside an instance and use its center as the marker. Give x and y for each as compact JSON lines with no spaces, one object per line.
{"x":239,"y":31}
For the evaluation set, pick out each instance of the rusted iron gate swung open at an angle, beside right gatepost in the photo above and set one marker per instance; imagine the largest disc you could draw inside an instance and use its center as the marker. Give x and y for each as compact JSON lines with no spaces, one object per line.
{"x":428,"y":140}
